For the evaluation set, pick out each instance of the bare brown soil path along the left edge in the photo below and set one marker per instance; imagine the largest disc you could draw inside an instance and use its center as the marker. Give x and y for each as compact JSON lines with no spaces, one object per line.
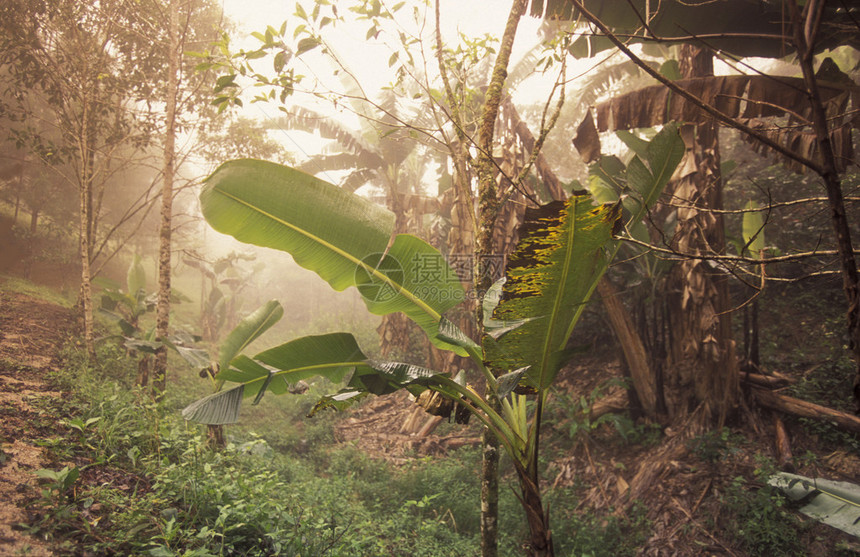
{"x":32,"y":333}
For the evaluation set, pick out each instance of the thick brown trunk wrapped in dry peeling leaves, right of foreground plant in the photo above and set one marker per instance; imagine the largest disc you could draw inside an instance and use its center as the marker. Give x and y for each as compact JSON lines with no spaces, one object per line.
{"x":701,"y":369}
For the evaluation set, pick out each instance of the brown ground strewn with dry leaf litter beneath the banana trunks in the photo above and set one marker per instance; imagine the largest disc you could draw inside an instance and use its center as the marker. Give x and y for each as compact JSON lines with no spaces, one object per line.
{"x":683,"y":496}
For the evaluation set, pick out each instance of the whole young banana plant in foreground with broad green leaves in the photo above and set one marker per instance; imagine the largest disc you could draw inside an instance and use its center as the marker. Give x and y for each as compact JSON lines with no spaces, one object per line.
{"x":564,"y":249}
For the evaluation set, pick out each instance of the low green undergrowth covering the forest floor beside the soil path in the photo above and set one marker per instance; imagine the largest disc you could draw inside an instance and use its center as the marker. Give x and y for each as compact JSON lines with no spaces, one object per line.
{"x":129,"y":476}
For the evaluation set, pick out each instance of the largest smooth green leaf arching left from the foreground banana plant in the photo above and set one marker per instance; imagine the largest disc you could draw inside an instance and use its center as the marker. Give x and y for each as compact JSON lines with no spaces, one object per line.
{"x":342,"y":237}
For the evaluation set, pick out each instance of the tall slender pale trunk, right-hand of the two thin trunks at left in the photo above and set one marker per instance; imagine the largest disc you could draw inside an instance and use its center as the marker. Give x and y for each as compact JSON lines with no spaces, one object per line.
{"x":162,"y":311}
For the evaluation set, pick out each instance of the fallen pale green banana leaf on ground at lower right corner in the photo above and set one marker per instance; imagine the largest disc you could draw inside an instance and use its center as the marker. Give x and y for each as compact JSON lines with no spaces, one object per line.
{"x":831,"y":502}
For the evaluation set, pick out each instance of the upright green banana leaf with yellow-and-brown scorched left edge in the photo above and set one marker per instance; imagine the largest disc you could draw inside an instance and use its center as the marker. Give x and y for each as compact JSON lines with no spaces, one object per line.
{"x":550,"y":276}
